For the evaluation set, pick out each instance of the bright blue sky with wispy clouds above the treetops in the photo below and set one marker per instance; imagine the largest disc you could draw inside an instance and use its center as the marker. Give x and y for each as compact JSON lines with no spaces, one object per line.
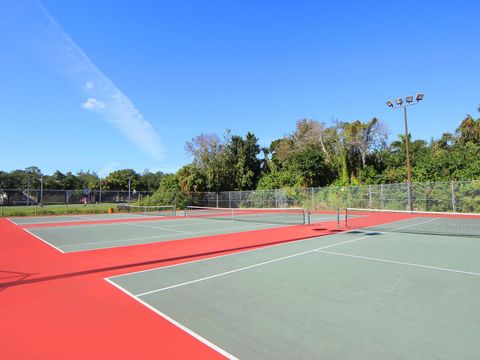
{"x":105,"y":85}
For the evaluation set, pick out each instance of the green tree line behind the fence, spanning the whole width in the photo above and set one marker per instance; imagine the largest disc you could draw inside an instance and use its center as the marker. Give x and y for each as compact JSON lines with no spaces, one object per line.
{"x":312,"y":155}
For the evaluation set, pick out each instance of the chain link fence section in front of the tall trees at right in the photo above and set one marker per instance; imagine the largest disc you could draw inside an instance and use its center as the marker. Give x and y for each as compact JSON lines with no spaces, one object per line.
{"x":456,"y":196}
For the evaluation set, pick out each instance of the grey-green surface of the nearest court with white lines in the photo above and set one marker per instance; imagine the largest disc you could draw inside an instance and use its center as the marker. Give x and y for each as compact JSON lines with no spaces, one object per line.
{"x":356,"y":295}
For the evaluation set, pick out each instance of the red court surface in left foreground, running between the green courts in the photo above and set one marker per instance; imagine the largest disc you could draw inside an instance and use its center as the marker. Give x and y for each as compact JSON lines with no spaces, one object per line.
{"x":58,"y":306}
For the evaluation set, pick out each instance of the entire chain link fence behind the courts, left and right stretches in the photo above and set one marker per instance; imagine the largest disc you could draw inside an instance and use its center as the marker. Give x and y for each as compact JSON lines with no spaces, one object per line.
{"x":456,"y":196}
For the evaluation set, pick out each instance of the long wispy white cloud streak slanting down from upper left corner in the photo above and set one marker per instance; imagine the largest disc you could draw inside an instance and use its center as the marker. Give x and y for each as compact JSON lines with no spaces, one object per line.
{"x":28,"y":24}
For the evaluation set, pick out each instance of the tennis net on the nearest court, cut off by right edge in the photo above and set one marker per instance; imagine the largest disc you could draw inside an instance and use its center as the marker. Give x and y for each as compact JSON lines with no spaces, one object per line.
{"x":417,"y":222}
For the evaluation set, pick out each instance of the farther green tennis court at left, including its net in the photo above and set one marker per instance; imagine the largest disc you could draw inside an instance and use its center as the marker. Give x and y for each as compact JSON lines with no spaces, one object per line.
{"x":91,"y":232}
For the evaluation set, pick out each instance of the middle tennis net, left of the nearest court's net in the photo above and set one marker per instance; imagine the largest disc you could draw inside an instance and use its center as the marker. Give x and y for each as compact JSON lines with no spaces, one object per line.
{"x":288,"y":216}
